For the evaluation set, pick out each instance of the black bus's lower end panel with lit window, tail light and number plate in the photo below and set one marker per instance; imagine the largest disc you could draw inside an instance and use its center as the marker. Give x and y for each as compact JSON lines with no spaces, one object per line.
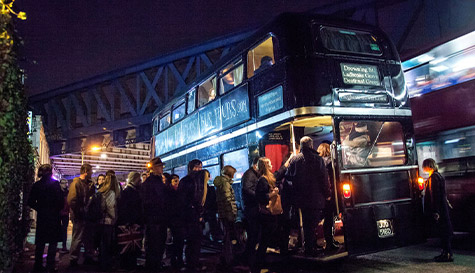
{"x":377,"y":188}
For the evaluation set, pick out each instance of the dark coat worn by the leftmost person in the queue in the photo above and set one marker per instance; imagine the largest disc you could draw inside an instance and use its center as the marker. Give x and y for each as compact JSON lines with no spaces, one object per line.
{"x":47,"y":199}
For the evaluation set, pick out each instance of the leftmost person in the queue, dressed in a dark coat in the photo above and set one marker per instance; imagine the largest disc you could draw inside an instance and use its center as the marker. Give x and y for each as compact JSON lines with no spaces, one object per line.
{"x":47,"y":199}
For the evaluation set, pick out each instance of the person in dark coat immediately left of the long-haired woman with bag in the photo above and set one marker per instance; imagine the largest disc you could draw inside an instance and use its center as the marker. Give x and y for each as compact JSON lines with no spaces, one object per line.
{"x":251,"y":209}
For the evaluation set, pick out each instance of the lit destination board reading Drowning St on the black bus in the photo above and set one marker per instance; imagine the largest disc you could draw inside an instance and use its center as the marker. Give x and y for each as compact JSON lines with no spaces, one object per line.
{"x":360,"y":74}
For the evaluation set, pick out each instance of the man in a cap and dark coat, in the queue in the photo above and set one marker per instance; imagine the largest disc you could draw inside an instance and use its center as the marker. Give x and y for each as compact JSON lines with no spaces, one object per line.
{"x":153,"y":193}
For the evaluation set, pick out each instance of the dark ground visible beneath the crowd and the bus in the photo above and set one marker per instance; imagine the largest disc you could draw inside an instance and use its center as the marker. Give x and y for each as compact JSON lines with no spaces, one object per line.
{"x":416,"y":258}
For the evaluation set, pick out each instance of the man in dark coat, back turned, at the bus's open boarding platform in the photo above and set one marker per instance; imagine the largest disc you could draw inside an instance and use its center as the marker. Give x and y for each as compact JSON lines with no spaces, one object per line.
{"x":311,"y":188}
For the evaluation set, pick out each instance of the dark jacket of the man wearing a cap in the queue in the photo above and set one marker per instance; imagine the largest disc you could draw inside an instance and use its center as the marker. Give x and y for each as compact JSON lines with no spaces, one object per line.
{"x":153,"y":199}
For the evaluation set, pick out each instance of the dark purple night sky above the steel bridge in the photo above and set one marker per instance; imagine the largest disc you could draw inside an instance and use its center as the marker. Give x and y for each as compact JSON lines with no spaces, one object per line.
{"x":69,"y":41}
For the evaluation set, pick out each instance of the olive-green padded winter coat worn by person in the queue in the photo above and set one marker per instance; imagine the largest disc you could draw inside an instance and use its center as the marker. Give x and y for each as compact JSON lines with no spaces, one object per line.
{"x":225,"y":198}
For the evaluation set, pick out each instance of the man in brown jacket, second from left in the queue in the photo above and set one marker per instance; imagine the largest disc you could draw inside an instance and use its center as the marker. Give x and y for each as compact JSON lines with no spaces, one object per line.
{"x":80,"y":191}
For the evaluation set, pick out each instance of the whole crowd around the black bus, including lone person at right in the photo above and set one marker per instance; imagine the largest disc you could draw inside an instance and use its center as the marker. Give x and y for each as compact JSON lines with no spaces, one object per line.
{"x":114,"y":222}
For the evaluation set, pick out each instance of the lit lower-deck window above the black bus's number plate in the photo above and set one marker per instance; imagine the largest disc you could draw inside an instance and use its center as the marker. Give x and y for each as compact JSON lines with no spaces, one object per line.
{"x":372,"y":143}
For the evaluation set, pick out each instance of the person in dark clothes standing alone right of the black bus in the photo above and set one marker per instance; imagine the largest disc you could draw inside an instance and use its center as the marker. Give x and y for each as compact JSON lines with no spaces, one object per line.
{"x":436,"y":209}
